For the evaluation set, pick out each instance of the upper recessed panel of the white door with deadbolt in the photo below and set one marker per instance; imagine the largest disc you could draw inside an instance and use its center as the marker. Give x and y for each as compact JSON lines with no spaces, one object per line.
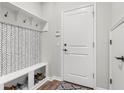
{"x":73,"y":24}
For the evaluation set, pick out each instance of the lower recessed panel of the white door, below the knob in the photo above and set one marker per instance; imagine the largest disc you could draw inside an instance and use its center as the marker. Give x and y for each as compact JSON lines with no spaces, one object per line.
{"x":76,"y":66}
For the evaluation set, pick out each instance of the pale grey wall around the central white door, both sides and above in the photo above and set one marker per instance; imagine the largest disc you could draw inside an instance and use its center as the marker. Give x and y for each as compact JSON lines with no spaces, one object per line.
{"x":52,"y":11}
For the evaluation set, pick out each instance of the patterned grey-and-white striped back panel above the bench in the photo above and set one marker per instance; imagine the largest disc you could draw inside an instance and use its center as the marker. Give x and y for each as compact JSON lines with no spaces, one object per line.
{"x":19,"y":48}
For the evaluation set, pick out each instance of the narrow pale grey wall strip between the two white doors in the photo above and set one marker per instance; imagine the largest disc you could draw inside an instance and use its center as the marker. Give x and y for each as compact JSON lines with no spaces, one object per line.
{"x":102,"y":49}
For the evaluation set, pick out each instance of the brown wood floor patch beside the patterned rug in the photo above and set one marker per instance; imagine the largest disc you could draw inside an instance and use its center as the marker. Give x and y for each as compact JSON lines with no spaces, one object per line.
{"x":50,"y":85}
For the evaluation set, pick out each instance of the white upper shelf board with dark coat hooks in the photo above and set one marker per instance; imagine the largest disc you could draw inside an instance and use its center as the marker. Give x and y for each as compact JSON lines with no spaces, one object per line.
{"x":21,"y":17}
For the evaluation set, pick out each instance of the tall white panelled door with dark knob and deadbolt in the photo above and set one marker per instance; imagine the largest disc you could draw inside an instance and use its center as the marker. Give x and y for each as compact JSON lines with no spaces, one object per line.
{"x":78,"y":46}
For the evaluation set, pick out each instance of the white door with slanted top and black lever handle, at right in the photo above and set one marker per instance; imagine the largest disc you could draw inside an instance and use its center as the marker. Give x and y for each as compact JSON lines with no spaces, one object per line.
{"x":117,"y":58}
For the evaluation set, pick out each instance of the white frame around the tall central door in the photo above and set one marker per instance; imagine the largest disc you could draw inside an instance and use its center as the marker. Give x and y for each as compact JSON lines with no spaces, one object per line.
{"x":94,"y":37}
